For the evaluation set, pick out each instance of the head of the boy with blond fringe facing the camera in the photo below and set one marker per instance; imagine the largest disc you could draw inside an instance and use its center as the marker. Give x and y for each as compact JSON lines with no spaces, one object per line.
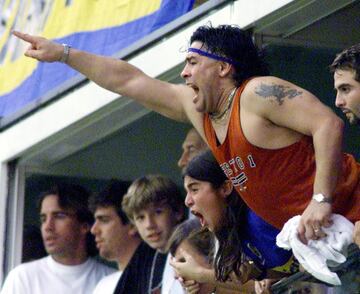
{"x":155,"y":206}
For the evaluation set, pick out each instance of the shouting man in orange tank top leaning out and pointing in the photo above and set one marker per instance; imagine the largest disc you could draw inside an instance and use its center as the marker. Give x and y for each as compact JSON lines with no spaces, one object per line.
{"x":277,"y":143}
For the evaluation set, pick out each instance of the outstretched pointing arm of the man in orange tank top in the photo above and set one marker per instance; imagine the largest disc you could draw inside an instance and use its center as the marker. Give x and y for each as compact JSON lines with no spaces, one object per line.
{"x":173,"y":101}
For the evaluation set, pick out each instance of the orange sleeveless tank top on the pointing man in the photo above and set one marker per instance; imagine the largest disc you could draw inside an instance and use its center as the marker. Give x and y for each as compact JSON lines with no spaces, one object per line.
{"x":278,"y":184}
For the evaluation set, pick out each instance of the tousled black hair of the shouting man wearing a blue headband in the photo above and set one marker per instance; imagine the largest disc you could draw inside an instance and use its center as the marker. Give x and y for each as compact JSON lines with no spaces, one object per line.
{"x":236,"y":44}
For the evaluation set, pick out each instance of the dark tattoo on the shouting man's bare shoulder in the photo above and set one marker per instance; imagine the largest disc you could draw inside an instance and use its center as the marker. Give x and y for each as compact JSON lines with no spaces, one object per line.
{"x":280,"y":92}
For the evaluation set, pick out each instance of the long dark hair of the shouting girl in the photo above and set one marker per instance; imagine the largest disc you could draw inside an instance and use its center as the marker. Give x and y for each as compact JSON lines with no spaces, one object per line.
{"x":229,"y":255}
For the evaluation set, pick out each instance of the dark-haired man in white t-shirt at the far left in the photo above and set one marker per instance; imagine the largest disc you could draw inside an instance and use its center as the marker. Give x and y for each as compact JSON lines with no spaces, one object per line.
{"x":65,"y":229}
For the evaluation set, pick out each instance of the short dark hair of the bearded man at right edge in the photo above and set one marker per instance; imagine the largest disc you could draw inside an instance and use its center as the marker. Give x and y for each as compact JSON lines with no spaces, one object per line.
{"x":348,"y":59}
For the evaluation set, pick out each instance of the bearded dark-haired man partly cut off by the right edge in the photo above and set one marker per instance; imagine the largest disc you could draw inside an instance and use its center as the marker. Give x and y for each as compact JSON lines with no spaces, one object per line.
{"x":346,"y":69}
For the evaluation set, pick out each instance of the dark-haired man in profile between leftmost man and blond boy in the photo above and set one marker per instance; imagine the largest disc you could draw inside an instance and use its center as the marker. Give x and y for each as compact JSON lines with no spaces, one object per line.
{"x":116,"y":238}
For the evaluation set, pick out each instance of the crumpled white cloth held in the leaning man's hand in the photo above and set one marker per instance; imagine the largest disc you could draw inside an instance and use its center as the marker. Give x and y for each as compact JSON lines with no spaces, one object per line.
{"x":314,"y":255}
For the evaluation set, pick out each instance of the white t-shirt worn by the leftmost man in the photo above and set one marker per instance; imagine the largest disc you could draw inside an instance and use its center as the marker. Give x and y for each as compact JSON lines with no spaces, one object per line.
{"x":46,"y":276}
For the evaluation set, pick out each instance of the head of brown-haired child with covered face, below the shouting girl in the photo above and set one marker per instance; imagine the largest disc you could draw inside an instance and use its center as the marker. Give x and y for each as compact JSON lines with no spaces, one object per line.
{"x":196,"y":242}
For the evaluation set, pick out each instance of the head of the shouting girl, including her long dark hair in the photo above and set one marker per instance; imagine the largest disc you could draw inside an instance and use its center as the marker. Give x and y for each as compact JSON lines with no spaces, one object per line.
{"x":211,"y":197}
